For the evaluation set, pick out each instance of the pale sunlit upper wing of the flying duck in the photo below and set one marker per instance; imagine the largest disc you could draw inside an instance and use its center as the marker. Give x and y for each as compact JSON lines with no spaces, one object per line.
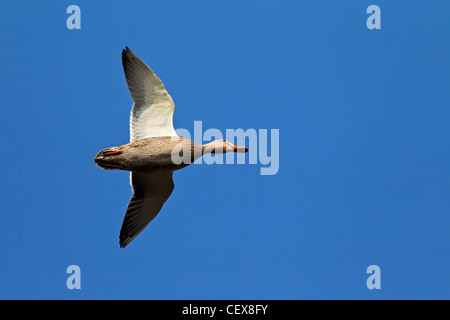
{"x":153,"y":108}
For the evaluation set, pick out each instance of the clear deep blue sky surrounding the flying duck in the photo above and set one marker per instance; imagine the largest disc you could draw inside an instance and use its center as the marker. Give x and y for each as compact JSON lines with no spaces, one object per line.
{"x":364,"y":122}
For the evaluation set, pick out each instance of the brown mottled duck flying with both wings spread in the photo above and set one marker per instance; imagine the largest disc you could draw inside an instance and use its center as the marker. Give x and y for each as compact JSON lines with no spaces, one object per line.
{"x":149,"y":155}
